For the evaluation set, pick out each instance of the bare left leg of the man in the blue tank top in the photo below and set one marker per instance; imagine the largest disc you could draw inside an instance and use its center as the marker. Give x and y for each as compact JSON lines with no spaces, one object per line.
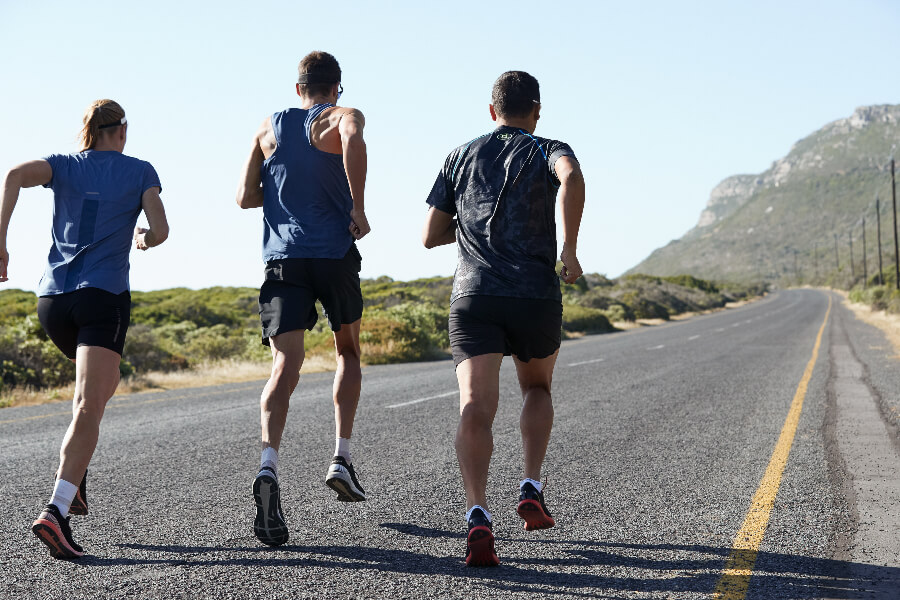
{"x":287,"y":358}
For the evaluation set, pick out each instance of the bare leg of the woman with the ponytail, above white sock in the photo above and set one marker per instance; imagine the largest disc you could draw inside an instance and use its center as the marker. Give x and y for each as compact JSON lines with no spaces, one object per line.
{"x":96,"y":378}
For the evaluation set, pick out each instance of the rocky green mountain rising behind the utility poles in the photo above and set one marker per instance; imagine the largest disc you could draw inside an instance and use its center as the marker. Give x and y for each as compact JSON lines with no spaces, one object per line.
{"x":780,"y":225}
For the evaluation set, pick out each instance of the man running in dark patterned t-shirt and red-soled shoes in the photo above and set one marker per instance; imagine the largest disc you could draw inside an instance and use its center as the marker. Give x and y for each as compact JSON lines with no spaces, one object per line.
{"x":502,"y":189}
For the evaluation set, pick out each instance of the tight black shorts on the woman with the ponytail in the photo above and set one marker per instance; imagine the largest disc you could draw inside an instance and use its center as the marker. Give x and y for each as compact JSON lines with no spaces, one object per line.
{"x":86,"y":317}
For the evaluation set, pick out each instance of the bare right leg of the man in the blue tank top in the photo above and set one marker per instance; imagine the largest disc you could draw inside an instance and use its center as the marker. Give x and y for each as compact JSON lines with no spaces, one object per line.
{"x":347,"y":378}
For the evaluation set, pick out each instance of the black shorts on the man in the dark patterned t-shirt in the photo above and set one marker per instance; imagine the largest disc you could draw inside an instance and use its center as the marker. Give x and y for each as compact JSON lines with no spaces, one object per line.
{"x":523,"y":327}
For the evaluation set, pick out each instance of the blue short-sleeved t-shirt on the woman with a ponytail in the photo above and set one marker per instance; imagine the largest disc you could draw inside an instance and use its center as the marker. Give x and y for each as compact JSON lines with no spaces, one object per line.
{"x":96,"y":203}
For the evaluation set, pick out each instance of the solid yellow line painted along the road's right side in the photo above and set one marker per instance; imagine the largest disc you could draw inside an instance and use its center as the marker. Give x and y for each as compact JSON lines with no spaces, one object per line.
{"x":739,"y":566}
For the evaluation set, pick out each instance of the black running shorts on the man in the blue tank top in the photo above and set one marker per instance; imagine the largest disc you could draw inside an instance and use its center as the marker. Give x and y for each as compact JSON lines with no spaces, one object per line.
{"x":287,"y":298}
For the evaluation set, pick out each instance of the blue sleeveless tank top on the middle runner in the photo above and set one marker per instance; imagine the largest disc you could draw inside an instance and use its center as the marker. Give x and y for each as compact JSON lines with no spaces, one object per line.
{"x":306,"y":195}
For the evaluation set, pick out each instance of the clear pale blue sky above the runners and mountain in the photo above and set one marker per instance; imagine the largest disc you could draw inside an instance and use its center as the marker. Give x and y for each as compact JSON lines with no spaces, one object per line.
{"x":660,"y":101}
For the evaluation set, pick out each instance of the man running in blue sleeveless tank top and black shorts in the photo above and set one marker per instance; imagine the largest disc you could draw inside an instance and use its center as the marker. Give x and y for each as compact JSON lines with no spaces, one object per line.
{"x":307,"y":170}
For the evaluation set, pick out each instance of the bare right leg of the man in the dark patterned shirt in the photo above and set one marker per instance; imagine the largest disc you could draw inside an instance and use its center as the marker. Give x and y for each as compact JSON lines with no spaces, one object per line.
{"x":536,"y":420}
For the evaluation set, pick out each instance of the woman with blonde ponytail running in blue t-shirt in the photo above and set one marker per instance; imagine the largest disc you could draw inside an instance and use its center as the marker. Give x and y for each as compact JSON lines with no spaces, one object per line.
{"x":84,"y":301}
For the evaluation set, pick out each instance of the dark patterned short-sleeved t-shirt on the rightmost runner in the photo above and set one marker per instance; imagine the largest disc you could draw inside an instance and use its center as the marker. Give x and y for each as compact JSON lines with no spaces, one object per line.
{"x":502,"y":189}
